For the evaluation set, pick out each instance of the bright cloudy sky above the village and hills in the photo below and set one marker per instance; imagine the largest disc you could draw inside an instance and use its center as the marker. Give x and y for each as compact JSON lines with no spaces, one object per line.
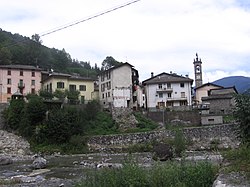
{"x":152,"y":35}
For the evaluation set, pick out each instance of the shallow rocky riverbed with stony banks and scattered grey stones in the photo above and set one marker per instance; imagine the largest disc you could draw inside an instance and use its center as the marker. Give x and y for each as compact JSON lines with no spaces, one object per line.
{"x":17,"y":166}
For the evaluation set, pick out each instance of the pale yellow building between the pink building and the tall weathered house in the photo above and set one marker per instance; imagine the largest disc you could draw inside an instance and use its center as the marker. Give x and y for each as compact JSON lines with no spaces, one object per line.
{"x":85,"y":85}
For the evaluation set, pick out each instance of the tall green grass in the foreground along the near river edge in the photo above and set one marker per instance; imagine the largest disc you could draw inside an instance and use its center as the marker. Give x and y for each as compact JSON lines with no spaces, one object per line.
{"x":162,"y":174}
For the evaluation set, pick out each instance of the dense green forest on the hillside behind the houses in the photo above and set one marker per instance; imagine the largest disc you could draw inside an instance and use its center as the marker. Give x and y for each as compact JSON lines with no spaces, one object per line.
{"x":17,"y":49}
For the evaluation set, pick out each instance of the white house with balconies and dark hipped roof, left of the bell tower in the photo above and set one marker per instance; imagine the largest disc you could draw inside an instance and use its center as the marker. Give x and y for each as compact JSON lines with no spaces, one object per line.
{"x":168,"y":91}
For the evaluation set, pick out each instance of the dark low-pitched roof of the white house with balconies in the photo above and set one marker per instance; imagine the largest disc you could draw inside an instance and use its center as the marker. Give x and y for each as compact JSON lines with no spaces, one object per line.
{"x":166,"y":77}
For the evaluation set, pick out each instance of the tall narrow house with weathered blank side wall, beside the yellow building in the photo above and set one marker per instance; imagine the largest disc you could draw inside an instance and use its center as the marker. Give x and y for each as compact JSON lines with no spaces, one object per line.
{"x":117,"y":86}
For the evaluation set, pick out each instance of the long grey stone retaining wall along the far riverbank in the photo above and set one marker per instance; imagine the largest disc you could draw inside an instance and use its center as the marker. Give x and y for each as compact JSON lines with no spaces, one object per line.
{"x":202,"y":138}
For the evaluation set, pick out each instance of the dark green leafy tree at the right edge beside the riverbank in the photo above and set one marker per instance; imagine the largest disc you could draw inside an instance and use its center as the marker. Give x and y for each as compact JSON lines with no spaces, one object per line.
{"x":242,"y":114}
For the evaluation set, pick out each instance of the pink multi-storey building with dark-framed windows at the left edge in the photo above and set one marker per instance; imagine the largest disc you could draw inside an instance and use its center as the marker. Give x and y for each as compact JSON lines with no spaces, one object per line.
{"x":18,"y":78}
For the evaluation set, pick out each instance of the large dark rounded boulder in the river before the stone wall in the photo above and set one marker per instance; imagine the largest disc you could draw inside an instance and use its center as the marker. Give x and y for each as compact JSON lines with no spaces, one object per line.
{"x":162,"y":152}
